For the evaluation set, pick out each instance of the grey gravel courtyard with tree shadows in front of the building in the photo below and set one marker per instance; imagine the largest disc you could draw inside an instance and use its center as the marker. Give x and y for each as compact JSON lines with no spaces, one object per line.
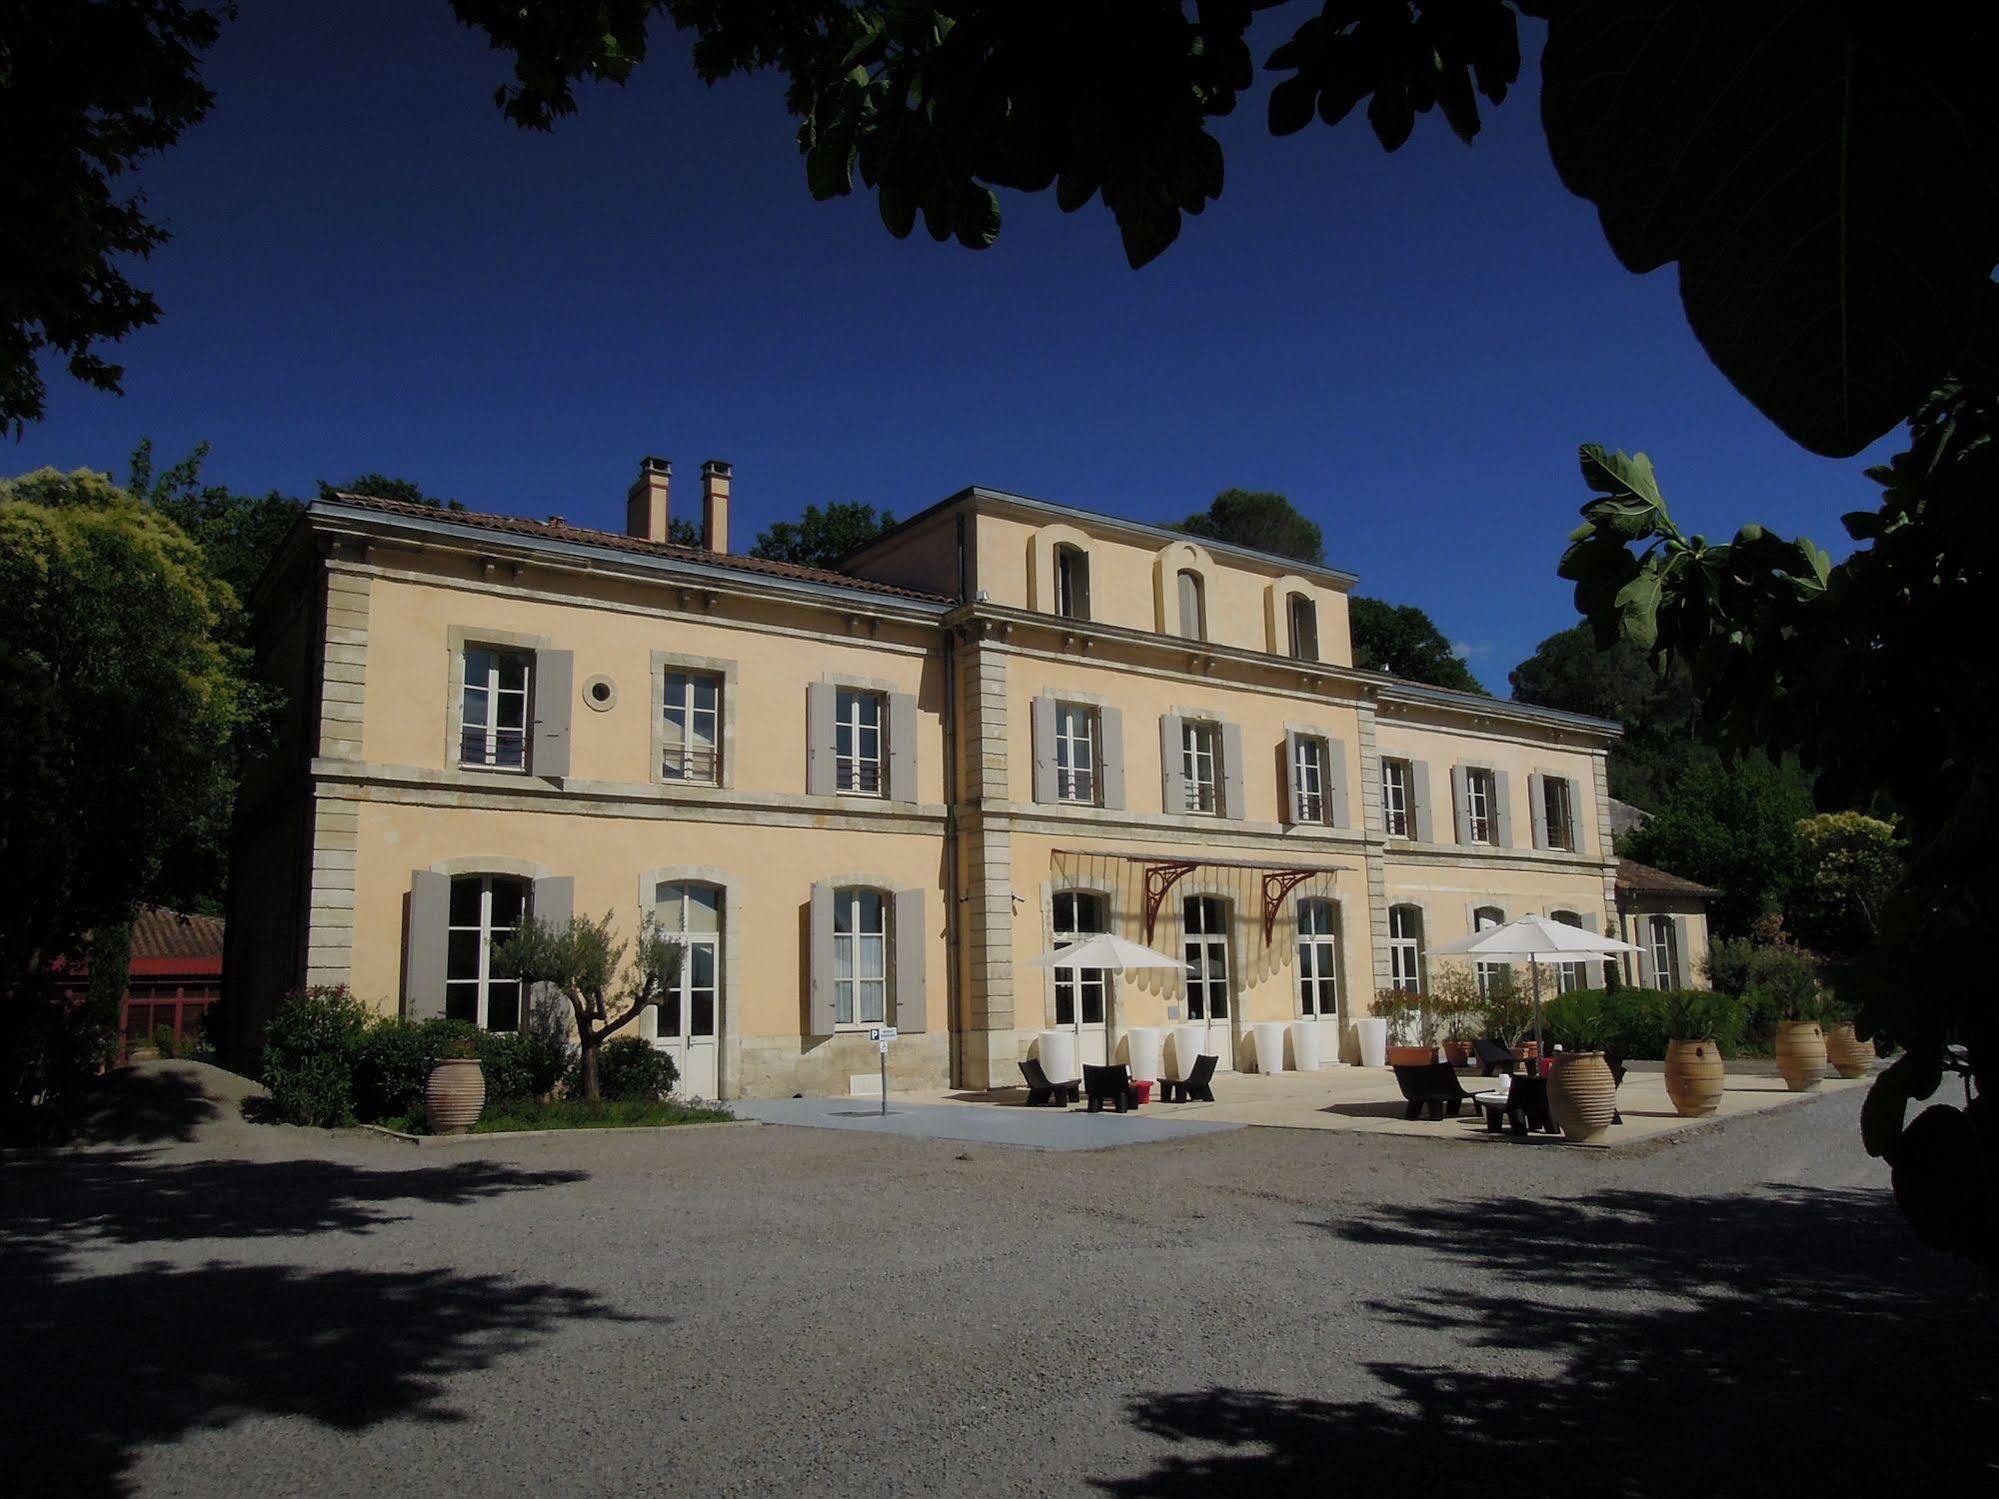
{"x":205,"y":1306}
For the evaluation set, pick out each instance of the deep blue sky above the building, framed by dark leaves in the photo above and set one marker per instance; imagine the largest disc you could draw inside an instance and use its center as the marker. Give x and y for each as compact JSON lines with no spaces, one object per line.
{"x":375,"y":273}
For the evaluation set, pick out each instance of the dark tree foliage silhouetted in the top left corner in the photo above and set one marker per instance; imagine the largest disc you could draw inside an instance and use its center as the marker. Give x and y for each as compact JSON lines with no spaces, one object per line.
{"x":89,"y":93}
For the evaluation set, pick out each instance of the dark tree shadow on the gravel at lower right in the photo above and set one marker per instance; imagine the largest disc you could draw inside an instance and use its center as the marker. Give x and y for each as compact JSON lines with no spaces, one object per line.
{"x":1700,"y":1346}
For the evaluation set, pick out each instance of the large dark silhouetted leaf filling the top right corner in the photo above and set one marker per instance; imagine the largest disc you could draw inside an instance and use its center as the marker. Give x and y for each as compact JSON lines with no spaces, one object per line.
{"x":1822,"y":173}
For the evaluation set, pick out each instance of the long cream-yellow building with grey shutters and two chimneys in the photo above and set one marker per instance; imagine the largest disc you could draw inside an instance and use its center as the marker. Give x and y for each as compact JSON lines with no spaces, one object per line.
{"x":871,"y":796}
